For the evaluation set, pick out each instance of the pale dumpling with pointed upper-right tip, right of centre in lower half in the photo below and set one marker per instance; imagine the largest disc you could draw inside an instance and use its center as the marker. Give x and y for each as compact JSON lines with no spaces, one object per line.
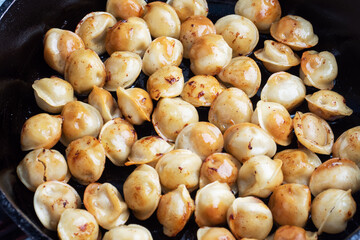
{"x":259,"y":176}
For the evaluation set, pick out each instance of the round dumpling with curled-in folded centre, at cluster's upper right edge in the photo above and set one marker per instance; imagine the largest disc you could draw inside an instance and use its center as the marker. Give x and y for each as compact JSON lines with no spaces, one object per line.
{"x":318,"y":70}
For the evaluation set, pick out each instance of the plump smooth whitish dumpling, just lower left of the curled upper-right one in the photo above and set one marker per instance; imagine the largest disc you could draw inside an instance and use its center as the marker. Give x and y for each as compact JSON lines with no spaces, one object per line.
{"x":284,"y":88}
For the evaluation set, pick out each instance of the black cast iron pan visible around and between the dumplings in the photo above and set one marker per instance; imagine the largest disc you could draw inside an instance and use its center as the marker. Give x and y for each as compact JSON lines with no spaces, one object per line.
{"x":23,"y":24}
